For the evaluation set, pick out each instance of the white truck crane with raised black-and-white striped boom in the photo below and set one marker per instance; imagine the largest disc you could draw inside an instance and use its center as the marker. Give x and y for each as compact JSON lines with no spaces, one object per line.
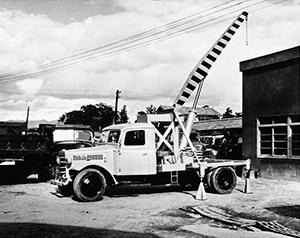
{"x":150,"y":150}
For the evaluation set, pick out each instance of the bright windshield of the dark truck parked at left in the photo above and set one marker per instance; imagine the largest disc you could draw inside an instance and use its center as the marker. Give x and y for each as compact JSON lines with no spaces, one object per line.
{"x":72,"y":134}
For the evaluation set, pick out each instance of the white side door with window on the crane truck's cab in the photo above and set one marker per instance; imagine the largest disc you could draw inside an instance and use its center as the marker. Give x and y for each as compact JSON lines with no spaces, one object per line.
{"x":133,"y":157}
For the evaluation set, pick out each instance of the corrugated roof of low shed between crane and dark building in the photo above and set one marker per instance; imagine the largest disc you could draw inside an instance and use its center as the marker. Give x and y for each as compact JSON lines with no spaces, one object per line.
{"x":218,"y":124}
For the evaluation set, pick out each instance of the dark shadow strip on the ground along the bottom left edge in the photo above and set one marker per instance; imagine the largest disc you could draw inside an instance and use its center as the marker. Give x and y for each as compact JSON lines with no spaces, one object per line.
{"x":29,"y":230}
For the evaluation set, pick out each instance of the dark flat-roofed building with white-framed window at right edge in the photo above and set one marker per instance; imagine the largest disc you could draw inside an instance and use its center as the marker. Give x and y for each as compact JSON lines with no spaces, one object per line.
{"x":271,"y":114}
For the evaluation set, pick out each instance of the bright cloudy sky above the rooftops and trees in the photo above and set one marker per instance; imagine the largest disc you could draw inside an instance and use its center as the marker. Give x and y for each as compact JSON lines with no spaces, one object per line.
{"x":36,"y":32}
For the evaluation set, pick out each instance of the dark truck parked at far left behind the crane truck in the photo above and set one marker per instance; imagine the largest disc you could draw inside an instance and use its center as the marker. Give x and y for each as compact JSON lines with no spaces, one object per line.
{"x":33,"y":151}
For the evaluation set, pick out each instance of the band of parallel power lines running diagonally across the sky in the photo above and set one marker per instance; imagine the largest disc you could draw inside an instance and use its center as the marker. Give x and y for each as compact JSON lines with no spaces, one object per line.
{"x":184,"y":25}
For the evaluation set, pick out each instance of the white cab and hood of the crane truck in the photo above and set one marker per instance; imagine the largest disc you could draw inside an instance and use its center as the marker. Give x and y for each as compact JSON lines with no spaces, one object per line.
{"x":124,"y":149}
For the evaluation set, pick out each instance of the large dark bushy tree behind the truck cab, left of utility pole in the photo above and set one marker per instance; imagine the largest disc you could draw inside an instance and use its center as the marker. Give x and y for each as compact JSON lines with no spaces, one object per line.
{"x":97,"y":116}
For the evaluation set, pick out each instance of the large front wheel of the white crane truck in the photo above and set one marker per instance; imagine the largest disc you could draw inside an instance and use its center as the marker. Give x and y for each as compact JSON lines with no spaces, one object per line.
{"x":89,"y":185}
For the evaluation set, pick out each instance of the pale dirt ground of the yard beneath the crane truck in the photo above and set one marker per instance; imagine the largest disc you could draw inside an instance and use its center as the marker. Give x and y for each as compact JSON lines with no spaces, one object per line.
{"x":38,"y":210}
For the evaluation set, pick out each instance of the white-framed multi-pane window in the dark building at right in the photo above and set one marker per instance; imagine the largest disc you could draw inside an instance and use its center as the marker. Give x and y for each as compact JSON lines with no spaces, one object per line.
{"x":279,"y":136}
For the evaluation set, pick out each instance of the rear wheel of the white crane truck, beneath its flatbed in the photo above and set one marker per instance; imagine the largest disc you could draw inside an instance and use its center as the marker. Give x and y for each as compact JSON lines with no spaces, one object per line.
{"x":222,"y":180}
